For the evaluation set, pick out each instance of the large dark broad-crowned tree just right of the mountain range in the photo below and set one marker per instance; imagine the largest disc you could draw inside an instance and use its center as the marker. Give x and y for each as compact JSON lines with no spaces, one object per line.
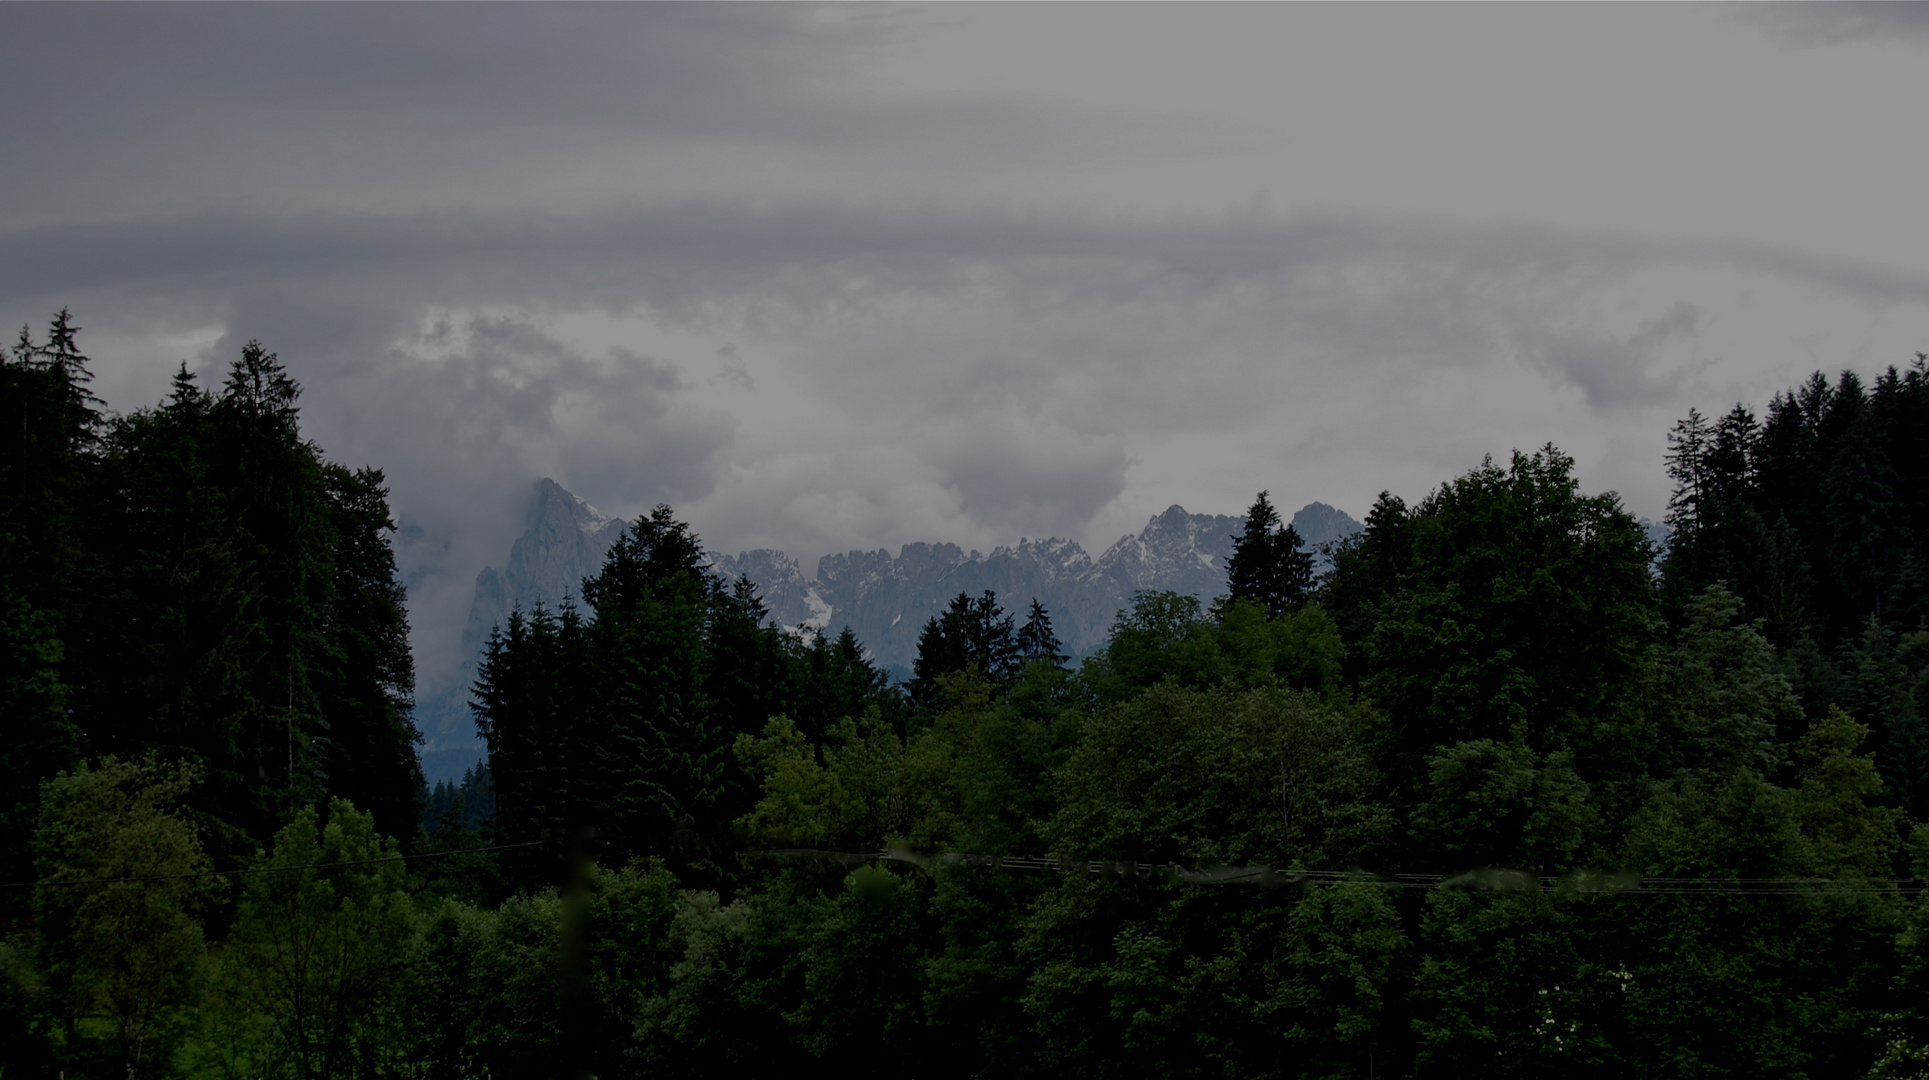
{"x":1519,"y":612}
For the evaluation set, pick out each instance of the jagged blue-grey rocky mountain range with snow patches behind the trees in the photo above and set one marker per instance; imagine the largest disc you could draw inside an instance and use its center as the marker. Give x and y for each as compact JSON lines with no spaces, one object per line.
{"x":884,"y":599}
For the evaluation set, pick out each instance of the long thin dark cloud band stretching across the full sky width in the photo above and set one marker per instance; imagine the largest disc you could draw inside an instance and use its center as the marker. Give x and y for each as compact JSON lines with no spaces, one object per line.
{"x":736,"y":257}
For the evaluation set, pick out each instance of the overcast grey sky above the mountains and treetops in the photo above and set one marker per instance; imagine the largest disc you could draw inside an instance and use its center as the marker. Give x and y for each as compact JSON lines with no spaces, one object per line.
{"x":844,"y":279}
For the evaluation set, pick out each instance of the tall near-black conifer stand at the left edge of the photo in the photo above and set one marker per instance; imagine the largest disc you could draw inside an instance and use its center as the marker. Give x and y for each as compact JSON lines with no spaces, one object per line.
{"x":196,"y":580}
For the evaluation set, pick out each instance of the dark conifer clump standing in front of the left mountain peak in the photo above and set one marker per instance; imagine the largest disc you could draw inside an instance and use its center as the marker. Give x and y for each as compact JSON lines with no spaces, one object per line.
{"x":616,"y":732}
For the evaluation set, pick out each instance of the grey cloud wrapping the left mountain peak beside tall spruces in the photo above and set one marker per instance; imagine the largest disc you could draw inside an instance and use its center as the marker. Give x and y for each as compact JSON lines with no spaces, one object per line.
{"x":464,"y":414}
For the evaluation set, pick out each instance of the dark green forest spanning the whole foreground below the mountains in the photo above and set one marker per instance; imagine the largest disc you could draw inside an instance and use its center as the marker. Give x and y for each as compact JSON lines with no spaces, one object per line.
{"x":1509,"y":790}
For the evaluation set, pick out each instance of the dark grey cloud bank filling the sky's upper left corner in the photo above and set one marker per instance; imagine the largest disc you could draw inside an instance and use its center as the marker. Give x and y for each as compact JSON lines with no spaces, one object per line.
{"x":167,"y":109}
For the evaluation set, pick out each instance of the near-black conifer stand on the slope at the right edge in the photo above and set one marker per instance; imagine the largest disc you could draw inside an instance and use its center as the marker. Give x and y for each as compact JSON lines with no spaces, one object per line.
{"x":1816,"y":522}
